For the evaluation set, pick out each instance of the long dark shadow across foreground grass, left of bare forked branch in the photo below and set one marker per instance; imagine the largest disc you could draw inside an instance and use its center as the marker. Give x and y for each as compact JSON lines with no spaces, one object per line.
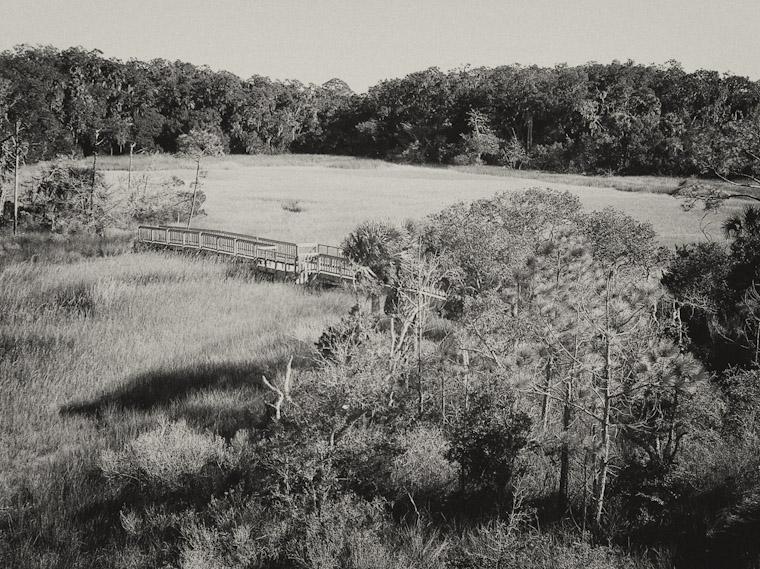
{"x":221,"y":397}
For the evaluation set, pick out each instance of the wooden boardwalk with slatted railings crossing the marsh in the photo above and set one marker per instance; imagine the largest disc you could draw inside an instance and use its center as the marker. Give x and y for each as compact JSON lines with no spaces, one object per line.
{"x":306,"y":262}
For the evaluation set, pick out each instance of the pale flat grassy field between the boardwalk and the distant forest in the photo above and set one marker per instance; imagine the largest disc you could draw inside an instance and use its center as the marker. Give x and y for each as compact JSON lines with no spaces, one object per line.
{"x":307,"y":198}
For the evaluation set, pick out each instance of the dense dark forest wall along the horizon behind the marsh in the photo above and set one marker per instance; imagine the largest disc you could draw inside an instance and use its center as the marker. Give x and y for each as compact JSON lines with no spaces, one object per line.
{"x":595,"y":118}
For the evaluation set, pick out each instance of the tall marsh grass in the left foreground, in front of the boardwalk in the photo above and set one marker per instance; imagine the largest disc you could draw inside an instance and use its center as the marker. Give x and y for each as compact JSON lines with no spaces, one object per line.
{"x":96,"y":352}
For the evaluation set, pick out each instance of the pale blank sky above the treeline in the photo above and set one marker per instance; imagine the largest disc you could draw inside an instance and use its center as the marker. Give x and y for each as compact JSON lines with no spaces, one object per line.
{"x":365,"y":41}
